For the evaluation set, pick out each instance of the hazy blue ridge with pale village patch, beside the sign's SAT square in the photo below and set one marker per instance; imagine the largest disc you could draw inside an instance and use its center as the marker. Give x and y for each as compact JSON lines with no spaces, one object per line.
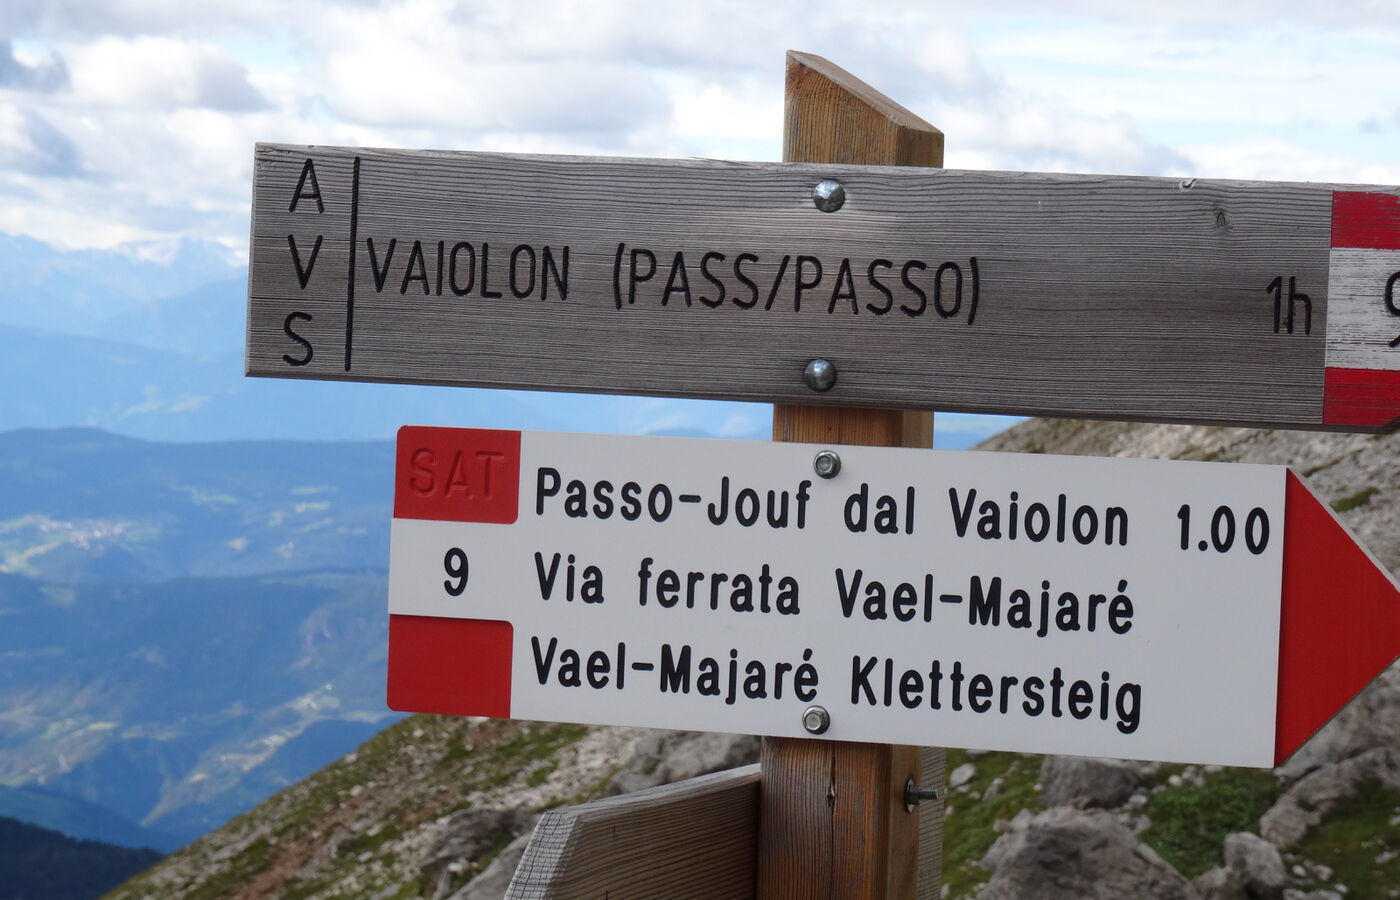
{"x":82,"y":505}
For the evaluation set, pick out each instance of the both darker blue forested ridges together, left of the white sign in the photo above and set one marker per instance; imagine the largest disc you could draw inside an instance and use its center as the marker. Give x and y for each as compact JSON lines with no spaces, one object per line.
{"x":184,"y":629}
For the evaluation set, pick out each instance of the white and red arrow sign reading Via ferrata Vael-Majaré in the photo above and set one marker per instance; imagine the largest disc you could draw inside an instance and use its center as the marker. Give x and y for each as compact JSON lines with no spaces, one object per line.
{"x":1146,"y":610}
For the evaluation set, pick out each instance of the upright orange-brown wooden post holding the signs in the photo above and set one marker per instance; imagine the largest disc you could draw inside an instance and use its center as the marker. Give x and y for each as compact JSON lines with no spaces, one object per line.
{"x":834,"y":821}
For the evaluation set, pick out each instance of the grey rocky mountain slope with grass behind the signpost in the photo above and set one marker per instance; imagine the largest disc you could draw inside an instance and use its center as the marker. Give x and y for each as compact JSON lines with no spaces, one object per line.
{"x":442,"y":808}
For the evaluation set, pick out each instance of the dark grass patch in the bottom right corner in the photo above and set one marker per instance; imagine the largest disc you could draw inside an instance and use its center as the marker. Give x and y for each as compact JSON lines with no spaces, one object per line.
{"x":1360,"y":841}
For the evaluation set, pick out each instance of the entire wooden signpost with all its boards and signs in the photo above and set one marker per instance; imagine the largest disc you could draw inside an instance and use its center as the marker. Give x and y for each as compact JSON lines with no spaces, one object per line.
{"x":846,"y":601}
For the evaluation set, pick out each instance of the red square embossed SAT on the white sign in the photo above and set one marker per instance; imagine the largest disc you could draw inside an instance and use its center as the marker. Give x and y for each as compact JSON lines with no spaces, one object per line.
{"x":457,"y":475}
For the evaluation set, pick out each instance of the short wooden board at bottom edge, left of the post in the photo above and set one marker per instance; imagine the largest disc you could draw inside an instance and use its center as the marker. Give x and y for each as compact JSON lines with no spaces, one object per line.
{"x":694,"y":841}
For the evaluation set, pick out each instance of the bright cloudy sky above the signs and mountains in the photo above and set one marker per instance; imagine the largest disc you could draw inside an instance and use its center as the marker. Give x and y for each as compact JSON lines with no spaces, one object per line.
{"x":127,"y":127}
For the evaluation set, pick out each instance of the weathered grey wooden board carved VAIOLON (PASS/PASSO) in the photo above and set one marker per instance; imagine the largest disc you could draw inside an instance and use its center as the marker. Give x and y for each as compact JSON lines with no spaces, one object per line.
{"x":1206,"y":302}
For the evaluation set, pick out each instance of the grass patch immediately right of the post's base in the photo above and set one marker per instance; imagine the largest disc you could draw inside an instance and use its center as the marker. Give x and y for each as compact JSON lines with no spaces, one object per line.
{"x":969,"y":832}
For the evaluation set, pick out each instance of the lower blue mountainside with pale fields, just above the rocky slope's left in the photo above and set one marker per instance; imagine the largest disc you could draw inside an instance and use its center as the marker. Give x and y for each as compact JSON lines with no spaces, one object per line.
{"x":180,"y":705}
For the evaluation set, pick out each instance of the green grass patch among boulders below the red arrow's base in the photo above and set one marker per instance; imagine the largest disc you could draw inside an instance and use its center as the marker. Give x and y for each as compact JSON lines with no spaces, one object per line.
{"x":1191,"y":824}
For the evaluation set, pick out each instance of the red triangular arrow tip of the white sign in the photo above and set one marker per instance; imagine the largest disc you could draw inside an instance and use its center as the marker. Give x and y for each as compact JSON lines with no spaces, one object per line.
{"x":1340,"y":619}
